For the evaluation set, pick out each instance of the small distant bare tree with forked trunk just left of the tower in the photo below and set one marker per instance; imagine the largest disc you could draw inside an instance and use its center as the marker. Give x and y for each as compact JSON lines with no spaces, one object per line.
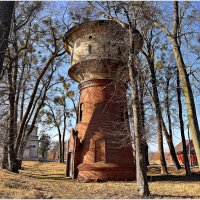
{"x":57,"y":114}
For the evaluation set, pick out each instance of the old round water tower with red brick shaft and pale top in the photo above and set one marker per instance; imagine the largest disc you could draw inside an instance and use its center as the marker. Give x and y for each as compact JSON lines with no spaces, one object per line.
{"x":100,"y":149}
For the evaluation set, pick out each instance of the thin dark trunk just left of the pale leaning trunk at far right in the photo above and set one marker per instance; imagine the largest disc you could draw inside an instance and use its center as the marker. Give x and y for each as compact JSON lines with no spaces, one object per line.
{"x":186,"y":162}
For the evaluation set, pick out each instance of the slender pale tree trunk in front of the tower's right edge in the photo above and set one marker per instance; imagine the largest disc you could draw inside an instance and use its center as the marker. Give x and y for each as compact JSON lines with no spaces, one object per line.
{"x":141,"y":174}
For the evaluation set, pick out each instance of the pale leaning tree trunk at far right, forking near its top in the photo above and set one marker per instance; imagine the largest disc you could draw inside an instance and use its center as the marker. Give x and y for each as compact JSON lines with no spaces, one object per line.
{"x":174,"y":36}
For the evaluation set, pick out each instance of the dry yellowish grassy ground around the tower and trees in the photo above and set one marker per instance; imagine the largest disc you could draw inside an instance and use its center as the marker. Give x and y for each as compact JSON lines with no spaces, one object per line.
{"x":47,"y":180}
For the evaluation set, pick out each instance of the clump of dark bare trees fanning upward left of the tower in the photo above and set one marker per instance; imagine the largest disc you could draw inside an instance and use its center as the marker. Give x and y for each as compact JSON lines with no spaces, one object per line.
{"x":36,"y":80}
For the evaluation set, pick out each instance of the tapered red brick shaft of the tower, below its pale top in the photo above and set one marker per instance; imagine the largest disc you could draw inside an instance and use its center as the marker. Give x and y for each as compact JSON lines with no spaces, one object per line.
{"x":102,"y":119}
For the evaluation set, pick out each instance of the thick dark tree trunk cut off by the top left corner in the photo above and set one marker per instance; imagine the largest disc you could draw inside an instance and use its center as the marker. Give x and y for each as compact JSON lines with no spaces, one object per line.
{"x":6,"y":10}
